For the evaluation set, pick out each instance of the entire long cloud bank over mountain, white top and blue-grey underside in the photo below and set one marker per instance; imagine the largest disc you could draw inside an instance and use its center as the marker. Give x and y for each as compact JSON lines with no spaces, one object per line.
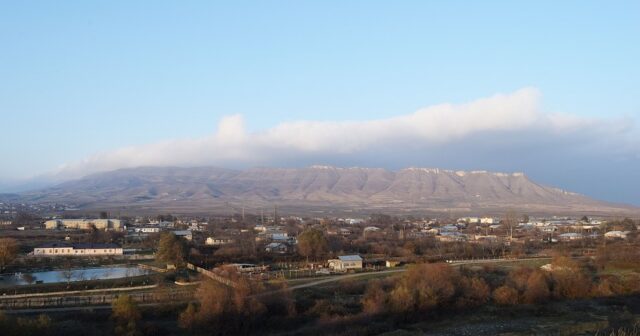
{"x":502,"y":132}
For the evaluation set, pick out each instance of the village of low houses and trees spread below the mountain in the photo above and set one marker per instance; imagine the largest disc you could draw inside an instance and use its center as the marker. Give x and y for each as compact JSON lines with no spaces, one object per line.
{"x":273,"y":242}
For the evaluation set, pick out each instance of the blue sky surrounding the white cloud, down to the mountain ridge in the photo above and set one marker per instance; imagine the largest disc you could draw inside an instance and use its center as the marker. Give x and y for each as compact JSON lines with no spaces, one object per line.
{"x":82,"y":79}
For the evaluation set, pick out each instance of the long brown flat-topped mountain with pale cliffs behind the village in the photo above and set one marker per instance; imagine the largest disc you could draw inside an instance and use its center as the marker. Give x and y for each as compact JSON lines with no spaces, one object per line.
{"x":319,"y":189}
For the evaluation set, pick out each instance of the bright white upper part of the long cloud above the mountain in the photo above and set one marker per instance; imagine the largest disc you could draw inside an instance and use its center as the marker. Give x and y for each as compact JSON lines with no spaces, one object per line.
{"x":501,"y":116}
